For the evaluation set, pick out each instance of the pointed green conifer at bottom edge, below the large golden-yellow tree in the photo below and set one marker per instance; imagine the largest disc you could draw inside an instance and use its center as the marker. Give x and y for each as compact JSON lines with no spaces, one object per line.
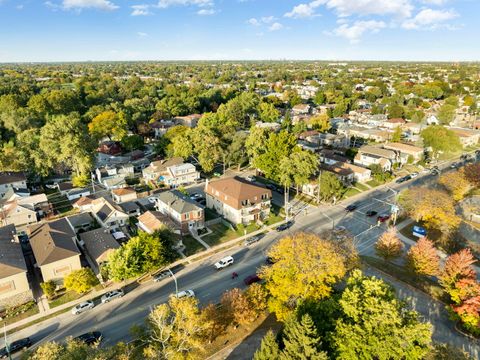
{"x":301,"y":341}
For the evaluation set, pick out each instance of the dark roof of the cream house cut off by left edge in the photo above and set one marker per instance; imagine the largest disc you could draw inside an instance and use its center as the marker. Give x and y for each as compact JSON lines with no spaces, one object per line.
{"x":11,"y":256}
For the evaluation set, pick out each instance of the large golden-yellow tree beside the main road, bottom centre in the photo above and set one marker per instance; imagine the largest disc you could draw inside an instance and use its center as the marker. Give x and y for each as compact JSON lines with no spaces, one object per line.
{"x":305,"y":267}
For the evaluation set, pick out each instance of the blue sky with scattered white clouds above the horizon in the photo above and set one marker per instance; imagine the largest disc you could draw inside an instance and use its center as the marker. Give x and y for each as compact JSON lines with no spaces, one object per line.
{"x":79,"y":30}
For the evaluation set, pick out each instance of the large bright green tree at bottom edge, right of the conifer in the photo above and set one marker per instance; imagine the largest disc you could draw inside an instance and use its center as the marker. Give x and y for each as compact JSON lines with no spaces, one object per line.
{"x":373,"y":324}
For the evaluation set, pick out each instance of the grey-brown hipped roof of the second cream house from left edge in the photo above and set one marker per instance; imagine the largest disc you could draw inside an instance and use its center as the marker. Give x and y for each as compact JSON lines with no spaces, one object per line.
{"x":52,"y":241}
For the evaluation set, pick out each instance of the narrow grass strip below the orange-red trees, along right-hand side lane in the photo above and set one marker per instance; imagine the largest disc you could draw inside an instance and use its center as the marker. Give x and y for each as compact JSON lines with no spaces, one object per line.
{"x":425,"y":284}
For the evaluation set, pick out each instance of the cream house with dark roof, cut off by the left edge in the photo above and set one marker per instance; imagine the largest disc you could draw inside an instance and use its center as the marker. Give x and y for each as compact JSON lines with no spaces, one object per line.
{"x":14,"y":286}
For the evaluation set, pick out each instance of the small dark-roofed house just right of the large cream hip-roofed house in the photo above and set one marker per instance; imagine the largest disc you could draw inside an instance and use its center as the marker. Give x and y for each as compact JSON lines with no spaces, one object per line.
{"x":98,"y":245}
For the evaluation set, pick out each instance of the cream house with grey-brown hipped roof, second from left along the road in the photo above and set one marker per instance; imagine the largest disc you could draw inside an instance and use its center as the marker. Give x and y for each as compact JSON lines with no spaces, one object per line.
{"x":55,"y":249}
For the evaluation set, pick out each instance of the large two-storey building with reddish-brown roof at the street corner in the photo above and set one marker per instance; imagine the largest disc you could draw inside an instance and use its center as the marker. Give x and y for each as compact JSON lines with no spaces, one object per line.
{"x":238,"y":200}
